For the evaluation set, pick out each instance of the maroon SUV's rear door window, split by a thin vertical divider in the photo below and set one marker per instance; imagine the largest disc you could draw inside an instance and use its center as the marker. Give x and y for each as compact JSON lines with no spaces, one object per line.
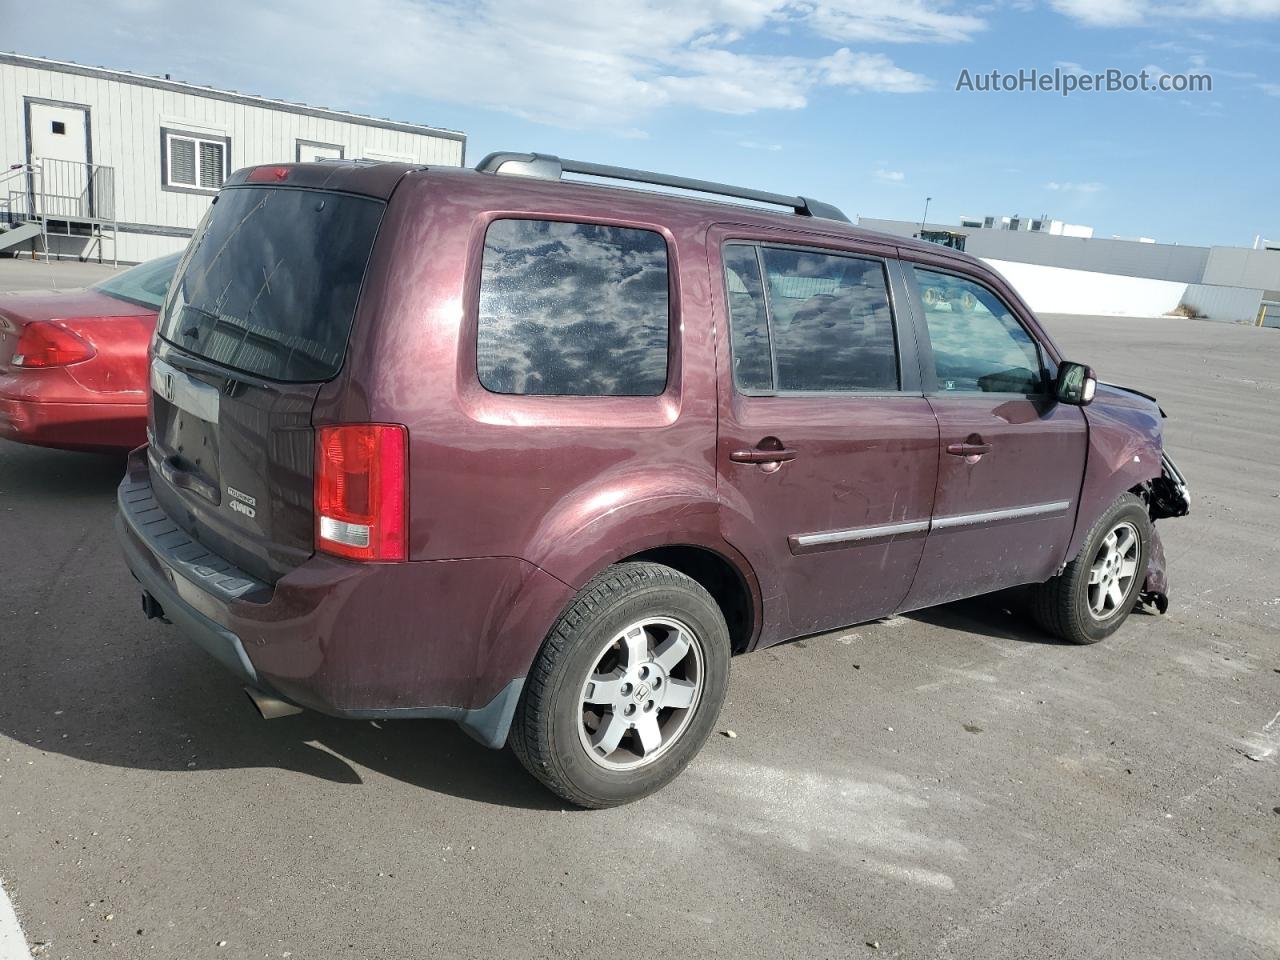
{"x":811,"y":322}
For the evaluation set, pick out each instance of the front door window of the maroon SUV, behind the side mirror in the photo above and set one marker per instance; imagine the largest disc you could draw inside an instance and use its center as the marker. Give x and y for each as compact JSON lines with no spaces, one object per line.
{"x":979,"y":344}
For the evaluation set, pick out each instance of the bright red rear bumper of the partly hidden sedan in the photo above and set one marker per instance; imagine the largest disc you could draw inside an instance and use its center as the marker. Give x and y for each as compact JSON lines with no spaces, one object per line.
{"x":77,"y":427}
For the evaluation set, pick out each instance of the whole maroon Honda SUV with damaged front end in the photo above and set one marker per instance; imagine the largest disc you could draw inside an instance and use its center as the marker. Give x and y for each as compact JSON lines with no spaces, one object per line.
{"x":540,"y":455}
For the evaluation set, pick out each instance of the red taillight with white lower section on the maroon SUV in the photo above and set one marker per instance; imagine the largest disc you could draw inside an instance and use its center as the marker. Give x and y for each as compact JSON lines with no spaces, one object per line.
{"x":362,"y":491}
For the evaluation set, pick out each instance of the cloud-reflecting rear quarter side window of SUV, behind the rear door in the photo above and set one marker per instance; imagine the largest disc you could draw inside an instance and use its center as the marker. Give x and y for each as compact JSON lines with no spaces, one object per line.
{"x":570,"y":309}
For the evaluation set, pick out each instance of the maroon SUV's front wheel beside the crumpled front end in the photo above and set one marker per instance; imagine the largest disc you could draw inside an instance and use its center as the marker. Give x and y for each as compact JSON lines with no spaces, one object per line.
{"x":1098,"y":591}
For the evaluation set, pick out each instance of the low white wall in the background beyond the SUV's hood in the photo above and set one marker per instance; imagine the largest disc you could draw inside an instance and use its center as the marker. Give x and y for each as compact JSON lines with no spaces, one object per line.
{"x":1054,"y":290}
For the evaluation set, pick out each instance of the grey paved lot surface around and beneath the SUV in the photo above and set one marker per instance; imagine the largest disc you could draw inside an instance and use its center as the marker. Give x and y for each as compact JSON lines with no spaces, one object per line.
{"x":952,"y":784}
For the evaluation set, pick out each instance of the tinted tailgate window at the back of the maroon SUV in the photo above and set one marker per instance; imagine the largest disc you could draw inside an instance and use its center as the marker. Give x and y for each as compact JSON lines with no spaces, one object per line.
{"x":272,"y":280}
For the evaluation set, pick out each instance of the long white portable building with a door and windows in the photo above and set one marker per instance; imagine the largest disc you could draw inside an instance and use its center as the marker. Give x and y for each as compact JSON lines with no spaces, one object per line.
{"x":107,"y":164}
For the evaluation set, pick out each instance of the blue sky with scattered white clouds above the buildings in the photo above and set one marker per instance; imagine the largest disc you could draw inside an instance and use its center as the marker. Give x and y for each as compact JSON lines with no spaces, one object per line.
{"x":851,"y":102}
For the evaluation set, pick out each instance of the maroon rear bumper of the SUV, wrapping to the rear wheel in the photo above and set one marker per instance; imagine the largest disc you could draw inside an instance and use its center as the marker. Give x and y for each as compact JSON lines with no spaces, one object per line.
{"x":450,"y":639}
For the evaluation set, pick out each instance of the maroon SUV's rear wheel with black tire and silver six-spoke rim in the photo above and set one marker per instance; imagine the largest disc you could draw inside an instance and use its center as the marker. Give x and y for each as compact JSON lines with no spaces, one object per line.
{"x":627,"y":688}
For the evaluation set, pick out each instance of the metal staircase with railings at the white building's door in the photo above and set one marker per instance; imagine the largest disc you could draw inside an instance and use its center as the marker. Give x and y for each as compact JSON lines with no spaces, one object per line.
{"x":45,"y":202}
